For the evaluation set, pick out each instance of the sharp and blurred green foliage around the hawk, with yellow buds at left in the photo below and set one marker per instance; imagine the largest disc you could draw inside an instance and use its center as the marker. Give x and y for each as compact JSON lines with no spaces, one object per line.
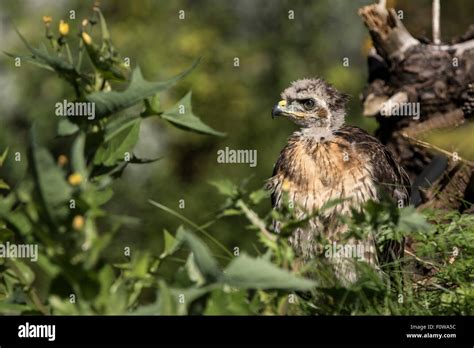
{"x":60,"y":206}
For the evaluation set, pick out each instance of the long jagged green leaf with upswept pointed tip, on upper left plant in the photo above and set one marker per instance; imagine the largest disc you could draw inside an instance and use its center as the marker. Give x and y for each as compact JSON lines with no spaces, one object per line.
{"x":107,"y":103}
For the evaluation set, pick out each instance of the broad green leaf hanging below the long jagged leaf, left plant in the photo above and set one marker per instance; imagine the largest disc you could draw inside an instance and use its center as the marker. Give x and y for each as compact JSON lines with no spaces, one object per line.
{"x":117,"y":142}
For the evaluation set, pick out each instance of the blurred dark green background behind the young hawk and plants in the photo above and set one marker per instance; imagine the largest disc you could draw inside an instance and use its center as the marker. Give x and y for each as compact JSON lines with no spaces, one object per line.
{"x":272,"y":51}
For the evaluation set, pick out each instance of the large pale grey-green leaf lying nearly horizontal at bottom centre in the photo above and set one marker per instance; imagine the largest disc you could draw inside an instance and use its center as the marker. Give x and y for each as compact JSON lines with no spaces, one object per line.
{"x":250,"y":273}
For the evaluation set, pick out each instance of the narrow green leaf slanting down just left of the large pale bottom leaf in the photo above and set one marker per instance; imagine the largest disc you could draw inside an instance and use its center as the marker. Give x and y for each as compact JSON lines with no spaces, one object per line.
{"x":206,"y":263}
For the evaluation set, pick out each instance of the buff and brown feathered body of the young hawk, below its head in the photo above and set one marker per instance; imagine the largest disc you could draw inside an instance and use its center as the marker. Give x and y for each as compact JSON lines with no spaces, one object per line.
{"x":315,"y":167}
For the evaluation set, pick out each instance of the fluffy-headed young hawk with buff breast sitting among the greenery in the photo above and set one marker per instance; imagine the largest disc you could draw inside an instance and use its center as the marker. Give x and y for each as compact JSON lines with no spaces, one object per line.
{"x":326,"y":160}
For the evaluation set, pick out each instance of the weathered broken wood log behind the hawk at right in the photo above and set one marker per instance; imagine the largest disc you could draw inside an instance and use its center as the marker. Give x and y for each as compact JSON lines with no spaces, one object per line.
{"x":438,"y":79}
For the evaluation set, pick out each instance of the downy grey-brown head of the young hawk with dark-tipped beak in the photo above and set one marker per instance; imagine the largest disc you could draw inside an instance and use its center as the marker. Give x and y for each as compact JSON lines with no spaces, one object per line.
{"x":312,"y":103}
